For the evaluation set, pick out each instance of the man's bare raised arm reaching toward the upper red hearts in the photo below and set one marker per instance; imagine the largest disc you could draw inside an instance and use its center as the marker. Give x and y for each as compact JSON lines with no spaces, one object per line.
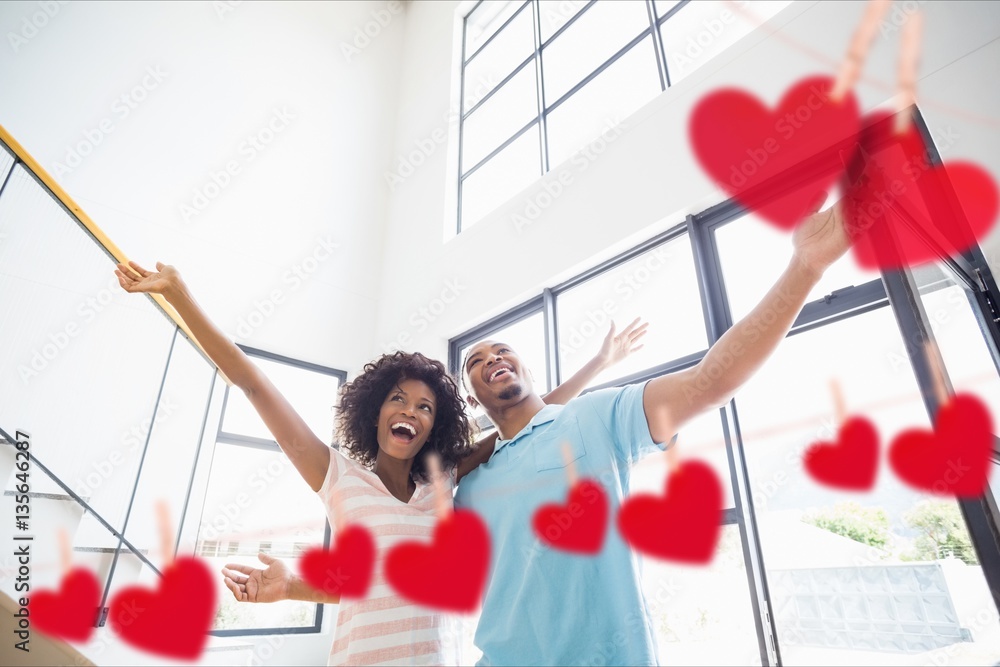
{"x":672,"y":400}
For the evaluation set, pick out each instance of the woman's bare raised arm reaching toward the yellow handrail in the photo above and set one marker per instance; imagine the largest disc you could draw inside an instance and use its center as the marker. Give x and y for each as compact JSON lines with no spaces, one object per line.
{"x":309,"y":454}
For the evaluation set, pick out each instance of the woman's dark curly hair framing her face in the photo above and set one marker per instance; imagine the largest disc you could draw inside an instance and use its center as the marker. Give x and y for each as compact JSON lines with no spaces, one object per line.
{"x":361,"y":401}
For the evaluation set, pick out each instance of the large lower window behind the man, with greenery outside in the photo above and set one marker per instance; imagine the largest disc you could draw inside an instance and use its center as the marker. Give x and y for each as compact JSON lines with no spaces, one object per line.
{"x":837,"y":577}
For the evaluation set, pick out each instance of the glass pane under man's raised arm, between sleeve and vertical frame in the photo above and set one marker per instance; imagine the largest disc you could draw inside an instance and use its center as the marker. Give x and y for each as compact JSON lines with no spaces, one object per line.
{"x":701,"y":439}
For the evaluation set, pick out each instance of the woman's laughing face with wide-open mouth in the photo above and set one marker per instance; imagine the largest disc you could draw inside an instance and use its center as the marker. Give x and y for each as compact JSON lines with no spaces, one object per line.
{"x":406,"y":419}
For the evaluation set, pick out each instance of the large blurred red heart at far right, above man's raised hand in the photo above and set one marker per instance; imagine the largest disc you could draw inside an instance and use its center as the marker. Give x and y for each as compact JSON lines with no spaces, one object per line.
{"x":955,"y":204}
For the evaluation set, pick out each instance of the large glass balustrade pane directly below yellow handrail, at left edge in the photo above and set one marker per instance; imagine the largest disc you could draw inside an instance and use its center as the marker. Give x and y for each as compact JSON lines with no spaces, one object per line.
{"x":62,"y":343}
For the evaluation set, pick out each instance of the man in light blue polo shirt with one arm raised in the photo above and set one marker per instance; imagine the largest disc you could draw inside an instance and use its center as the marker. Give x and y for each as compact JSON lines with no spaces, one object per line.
{"x":543,"y":606}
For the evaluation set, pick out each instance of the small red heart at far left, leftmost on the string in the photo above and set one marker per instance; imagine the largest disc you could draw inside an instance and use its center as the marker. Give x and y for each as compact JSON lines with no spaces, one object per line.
{"x":70,"y":612}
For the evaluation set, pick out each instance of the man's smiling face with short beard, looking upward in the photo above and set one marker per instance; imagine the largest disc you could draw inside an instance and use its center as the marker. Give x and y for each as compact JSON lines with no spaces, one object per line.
{"x":495,"y":376}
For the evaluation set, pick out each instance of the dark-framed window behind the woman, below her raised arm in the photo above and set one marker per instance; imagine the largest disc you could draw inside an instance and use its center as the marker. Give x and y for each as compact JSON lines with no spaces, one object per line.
{"x":256,"y":500}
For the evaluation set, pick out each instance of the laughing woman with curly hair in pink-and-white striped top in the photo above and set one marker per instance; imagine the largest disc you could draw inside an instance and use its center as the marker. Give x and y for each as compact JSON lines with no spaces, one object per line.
{"x":402,"y":408}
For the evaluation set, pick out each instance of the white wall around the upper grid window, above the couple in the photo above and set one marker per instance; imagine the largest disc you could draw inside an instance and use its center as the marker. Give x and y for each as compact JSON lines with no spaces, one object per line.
{"x":647,"y":179}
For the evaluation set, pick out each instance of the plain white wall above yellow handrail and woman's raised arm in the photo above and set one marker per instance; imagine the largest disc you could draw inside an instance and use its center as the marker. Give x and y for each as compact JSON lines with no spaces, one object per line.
{"x":222,"y":71}
